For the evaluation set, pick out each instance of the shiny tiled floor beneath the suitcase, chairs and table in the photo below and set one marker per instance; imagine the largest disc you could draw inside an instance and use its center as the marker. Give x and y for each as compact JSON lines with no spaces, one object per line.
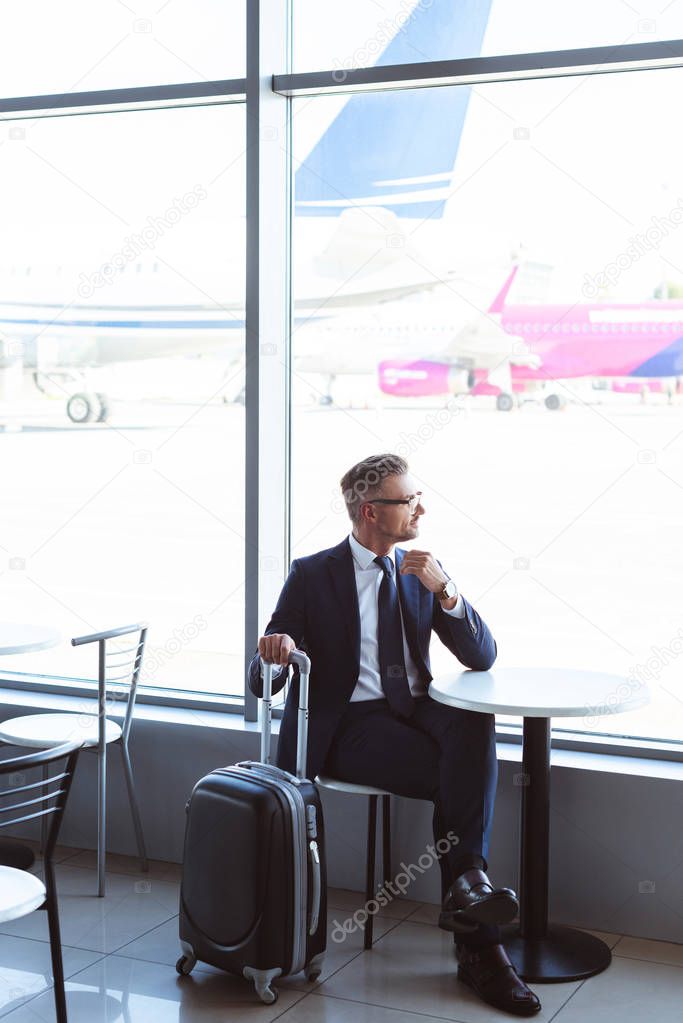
{"x":120,"y":956}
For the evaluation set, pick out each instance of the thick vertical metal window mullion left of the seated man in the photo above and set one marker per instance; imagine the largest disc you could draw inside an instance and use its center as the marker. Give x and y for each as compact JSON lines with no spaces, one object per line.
{"x":267,"y":298}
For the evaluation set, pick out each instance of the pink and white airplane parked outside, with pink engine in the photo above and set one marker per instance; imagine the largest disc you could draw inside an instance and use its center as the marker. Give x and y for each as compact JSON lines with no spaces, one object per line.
{"x":514,"y":346}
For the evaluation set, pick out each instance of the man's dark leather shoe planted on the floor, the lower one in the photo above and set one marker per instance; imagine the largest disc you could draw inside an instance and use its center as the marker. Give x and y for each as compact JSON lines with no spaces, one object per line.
{"x":489,"y":972}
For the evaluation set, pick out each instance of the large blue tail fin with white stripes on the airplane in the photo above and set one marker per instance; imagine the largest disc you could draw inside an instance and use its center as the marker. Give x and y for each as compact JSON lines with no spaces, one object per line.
{"x":397,"y":150}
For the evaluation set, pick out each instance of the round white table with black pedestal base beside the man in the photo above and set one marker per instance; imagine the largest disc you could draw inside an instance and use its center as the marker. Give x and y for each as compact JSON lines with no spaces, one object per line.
{"x":540,"y":952}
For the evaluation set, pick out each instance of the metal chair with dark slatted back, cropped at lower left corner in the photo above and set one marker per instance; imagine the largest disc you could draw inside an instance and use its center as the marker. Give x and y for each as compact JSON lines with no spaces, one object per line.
{"x":22,"y":893}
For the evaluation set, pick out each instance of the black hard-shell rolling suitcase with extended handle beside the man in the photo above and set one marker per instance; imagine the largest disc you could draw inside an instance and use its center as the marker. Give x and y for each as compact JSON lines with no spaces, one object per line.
{"x":253,"y":899}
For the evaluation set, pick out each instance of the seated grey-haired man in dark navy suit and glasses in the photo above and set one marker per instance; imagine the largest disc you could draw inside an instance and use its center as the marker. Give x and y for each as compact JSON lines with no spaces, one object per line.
{"x":365,"y":611}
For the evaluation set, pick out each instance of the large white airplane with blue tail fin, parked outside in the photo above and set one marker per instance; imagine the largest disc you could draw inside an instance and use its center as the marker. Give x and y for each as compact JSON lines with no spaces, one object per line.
{"x":352,"y":252}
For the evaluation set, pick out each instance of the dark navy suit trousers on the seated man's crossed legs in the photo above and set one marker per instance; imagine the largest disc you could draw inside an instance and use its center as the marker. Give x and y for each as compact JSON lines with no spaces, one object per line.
{"x":440,"y":753}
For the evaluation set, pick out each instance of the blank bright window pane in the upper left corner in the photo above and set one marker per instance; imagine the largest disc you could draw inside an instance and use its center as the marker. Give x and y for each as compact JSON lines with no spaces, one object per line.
{"x":77,"y":46}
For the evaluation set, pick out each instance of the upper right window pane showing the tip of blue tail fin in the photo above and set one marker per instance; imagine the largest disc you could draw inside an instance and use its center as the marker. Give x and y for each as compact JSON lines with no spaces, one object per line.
{"x":359,"y":34}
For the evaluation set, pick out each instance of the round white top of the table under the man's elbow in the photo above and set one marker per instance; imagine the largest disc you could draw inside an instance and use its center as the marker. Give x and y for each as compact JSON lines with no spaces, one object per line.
{"x":540,"y":692}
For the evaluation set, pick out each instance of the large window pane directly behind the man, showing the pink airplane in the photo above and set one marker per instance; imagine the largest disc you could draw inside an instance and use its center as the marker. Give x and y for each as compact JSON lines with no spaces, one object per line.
{"x":493,"y":288}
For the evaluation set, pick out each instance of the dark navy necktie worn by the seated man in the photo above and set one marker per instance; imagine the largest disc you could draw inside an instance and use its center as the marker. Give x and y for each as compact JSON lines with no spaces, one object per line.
{"x":390,"y":643}
